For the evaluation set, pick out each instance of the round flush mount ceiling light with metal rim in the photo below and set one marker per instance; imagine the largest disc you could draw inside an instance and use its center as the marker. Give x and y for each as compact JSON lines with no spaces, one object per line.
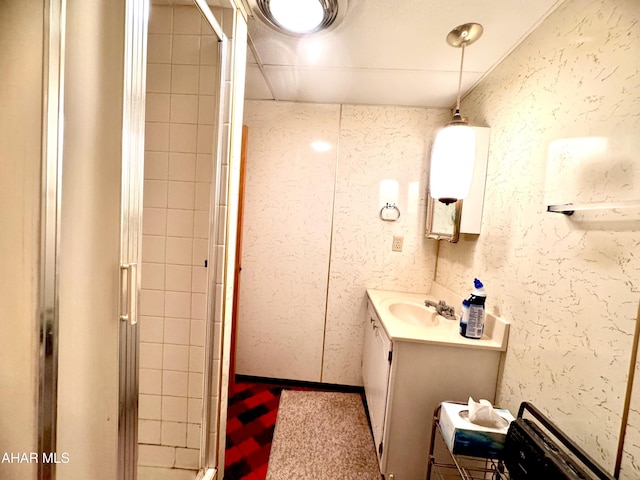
{"x":301,"y":17}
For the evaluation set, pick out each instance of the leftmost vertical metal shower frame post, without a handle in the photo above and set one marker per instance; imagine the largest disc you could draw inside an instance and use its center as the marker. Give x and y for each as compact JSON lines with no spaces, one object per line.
{"x":52,"y":141}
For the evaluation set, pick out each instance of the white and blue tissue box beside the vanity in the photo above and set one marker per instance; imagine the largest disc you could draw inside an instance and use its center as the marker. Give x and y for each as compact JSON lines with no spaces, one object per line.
{"x":465,"y":438}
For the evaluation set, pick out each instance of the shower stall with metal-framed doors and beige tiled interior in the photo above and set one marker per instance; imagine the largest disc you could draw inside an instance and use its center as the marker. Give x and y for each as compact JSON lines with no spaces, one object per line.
{"x":140,"y":135}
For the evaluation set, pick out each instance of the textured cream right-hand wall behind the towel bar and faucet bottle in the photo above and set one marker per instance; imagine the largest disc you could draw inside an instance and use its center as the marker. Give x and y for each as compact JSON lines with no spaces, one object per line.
{"x":569,"y":285}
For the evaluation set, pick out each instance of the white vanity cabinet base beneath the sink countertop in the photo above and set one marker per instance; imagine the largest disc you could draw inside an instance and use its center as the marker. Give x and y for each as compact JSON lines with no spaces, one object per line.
{"x":406,"y":380}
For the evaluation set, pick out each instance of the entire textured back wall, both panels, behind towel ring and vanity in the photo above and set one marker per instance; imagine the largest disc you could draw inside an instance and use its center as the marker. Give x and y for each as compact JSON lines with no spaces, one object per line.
{"x":298,"y":243}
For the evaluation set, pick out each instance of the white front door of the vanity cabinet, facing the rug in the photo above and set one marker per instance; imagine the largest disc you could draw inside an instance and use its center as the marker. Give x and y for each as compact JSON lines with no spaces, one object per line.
{"x":375,"y":374}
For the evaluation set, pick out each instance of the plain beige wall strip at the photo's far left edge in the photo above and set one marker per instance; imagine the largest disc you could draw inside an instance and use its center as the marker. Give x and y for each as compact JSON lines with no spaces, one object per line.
{"x":21,"y":38}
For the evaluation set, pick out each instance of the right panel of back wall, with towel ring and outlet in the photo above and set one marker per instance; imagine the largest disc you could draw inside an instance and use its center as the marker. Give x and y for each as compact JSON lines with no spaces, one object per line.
{"x":376,"y":144}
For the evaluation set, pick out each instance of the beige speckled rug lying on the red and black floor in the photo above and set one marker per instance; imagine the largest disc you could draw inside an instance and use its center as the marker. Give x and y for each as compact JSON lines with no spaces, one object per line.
{"x":322,"y":435}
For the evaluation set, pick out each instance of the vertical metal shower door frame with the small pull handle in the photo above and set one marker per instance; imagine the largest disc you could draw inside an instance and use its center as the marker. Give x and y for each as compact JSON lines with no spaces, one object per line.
{"x":133,"y":128}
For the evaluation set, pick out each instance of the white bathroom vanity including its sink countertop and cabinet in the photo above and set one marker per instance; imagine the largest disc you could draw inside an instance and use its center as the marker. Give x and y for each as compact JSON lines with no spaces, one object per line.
{"x":413,"y":359}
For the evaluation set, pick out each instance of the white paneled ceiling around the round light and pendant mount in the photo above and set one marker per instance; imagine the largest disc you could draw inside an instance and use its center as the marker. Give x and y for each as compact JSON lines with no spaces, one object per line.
{"x":388,"y":52}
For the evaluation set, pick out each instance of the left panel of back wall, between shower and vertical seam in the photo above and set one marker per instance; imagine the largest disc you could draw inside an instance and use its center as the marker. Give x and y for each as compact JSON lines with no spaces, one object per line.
{"x":286,"y":239}
